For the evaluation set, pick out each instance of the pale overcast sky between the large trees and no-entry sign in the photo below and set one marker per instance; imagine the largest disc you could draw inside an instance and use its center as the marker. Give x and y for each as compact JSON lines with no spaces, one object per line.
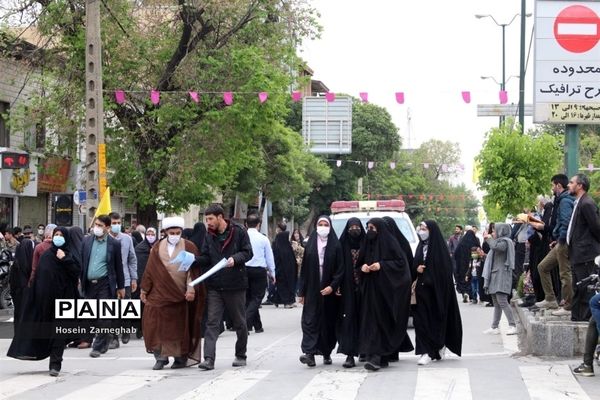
{"x":430,"y":50}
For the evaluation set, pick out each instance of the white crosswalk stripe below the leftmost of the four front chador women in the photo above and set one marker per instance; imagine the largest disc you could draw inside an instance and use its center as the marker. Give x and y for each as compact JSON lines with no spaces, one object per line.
{"x":337,"y":385}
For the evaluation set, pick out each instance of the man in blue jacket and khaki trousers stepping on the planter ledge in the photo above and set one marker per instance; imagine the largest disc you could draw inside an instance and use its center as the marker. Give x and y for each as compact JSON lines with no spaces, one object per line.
{"x":559,"y":253}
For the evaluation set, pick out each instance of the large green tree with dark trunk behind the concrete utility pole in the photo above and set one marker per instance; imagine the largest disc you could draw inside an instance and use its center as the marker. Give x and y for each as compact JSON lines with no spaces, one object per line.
{"x":168,"y":156}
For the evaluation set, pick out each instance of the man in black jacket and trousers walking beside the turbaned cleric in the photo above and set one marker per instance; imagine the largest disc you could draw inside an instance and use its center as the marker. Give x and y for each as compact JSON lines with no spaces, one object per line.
{"x":227,"y":288}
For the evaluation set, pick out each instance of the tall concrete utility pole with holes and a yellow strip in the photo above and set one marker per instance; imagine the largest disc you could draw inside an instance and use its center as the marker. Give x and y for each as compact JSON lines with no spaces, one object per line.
{"x":94,"y":114}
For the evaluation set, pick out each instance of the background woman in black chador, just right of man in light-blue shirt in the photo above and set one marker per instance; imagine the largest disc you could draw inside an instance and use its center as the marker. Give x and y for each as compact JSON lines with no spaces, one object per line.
{"x":285,"y":267}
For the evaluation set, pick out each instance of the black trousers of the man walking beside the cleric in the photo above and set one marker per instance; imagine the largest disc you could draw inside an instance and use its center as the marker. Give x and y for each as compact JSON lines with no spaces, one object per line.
{"x":234,"y":302}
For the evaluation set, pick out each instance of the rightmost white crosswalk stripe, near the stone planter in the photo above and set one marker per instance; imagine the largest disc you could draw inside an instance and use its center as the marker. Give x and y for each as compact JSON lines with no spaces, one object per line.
{"x":552,"y":382}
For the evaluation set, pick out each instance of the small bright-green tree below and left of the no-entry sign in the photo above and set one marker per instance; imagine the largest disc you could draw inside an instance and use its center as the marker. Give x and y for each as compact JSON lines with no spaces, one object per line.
{"x":515,"y":168}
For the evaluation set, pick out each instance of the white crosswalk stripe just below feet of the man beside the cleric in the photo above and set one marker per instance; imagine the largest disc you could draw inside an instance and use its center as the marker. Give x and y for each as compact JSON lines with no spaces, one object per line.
{"x":228,"y":385}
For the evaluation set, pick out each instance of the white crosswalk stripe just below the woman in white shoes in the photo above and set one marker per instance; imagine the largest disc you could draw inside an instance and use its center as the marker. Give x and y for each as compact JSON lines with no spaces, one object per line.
{"x":443,"y":383}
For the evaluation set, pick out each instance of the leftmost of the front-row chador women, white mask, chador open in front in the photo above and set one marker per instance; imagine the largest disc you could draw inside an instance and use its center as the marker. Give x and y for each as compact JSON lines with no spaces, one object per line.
{"x":320,"y":277}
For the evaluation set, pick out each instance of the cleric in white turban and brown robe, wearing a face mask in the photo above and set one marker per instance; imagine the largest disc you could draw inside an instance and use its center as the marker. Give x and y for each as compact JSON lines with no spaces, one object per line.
{"x":173,"y":310}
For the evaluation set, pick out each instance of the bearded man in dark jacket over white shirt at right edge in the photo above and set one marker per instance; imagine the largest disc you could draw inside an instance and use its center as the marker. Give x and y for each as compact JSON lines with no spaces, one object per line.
{"x":583,"y":238}
